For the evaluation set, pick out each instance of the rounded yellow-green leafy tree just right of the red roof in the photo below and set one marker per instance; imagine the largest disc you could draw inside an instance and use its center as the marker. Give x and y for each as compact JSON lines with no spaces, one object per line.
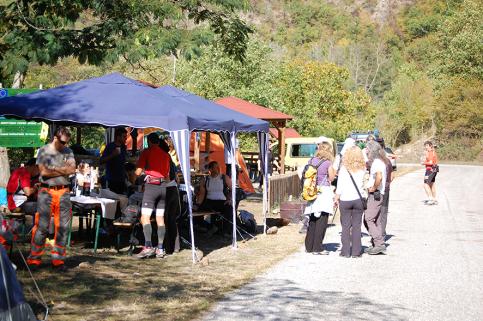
{"x":317,"y":96}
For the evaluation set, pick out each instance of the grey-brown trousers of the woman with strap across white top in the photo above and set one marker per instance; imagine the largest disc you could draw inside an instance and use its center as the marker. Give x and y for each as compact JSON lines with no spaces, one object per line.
{"x":351,"y":221}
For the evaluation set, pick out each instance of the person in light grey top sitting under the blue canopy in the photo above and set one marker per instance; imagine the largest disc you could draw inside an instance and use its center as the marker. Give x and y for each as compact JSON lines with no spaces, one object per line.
{"x":215,"y":193}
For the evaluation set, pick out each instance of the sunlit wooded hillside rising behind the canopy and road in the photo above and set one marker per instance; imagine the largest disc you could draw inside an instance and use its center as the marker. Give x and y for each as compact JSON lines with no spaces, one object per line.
{"x":410,"y":68}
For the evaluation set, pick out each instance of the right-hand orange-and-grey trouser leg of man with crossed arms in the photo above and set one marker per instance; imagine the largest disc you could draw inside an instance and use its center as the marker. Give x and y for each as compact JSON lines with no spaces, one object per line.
{"x":62,"y":218}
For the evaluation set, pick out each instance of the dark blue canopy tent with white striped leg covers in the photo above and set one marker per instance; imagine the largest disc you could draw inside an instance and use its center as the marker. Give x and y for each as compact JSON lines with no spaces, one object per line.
{"x":115,"y":100}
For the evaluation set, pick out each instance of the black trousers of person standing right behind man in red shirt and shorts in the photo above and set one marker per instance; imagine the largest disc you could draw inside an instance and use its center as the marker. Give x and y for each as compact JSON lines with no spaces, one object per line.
{"x":171,"y":213}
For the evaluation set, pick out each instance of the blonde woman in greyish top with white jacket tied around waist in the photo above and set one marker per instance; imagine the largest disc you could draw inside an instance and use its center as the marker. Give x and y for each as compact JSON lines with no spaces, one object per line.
{"x":320,"y":208}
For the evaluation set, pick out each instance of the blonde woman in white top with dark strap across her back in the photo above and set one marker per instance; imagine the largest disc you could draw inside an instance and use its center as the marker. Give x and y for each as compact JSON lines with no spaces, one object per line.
{"x":350,"y":204}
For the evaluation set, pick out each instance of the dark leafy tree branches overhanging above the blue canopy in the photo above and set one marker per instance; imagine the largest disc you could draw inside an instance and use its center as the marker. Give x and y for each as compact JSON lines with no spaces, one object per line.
{"x":97,"y":31}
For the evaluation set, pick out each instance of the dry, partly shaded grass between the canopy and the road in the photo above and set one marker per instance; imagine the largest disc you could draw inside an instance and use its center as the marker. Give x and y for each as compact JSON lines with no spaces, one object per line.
{"x":115,"y":286}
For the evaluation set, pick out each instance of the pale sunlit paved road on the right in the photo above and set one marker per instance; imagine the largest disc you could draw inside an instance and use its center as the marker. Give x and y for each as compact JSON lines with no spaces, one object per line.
{"x":433,"y":269}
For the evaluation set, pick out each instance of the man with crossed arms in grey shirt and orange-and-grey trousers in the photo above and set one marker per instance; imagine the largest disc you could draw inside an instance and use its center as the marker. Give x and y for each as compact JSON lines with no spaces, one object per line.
{"x":56,"y":162}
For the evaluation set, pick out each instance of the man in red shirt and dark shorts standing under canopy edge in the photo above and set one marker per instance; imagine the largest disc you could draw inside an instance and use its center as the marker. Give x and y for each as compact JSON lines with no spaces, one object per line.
{"x":155,"y":163}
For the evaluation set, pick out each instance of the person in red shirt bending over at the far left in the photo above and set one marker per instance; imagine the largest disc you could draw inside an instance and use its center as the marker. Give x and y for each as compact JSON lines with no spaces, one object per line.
{"x":20,"y":188}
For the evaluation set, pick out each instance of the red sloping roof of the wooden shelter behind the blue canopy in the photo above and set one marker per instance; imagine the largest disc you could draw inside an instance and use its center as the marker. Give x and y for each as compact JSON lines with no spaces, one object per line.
{"x":252,"y":109}
